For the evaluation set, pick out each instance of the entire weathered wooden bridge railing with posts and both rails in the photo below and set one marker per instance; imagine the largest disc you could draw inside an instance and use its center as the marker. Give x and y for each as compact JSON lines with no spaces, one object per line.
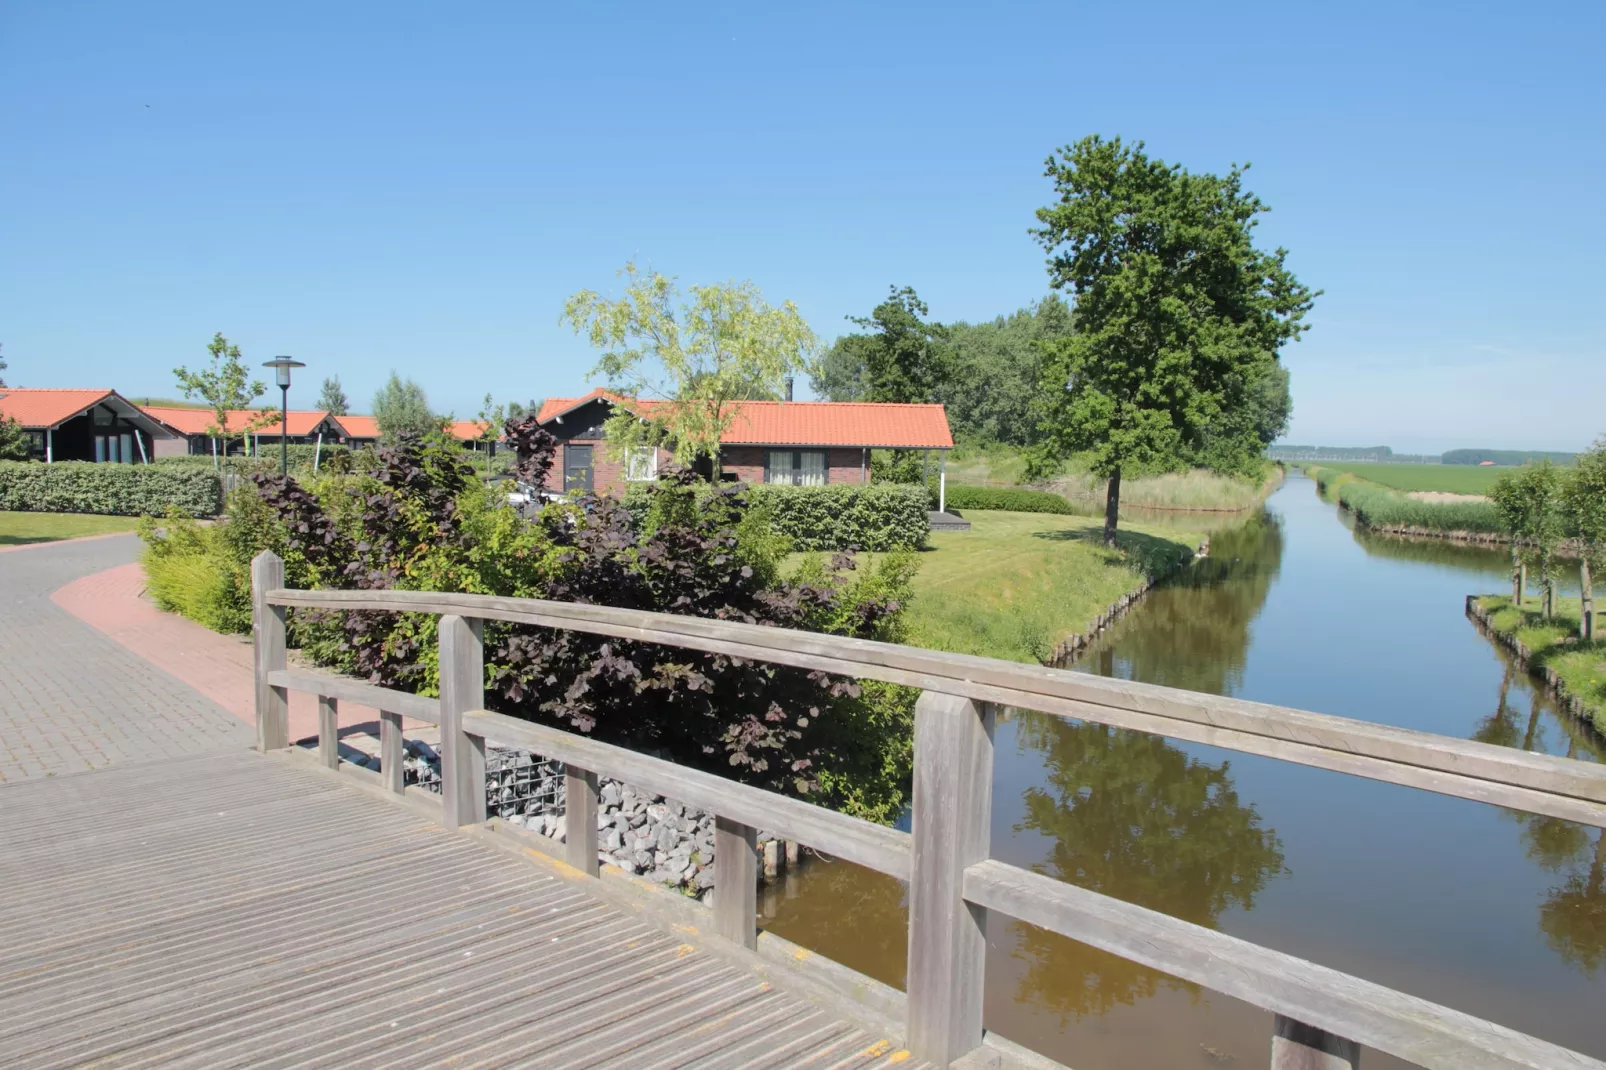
{"x":1323,"y":1018}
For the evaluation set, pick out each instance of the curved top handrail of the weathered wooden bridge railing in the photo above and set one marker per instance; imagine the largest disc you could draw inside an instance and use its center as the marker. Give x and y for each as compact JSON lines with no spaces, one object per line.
{"x":1547,"y":785}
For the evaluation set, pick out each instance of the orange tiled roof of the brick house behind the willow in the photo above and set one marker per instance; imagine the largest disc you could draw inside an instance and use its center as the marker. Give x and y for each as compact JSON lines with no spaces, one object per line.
{"x":810,"y":423}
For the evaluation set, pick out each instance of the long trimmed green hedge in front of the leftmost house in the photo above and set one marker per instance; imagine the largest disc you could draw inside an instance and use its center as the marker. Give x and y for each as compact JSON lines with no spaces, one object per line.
{"x":108,"y":489}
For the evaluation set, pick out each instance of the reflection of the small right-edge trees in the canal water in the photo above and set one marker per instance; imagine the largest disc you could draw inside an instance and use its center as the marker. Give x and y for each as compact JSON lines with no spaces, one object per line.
{"x":1573,"y":915}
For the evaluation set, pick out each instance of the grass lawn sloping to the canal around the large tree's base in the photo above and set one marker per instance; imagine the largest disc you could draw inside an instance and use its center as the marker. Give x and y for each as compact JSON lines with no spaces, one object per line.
{"x":1017,"y":584}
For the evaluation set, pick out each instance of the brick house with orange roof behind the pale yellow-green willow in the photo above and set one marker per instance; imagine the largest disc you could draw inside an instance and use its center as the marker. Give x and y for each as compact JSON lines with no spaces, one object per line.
{"x":804,"y":444}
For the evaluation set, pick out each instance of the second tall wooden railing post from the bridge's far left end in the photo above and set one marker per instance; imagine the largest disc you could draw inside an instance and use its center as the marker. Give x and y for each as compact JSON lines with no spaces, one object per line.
{"x":462,"y":690}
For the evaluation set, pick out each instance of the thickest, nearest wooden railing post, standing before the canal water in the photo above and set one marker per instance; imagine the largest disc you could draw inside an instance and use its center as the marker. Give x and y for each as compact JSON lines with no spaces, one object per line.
{"x":953,"y":817}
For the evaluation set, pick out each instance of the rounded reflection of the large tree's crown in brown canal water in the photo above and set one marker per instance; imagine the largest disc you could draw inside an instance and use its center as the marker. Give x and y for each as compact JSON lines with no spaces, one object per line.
{"x":1136,"y":819}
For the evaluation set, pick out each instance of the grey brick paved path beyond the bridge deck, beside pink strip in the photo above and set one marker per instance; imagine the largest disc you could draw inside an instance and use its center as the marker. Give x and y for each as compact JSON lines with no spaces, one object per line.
{"x":70,"y":698}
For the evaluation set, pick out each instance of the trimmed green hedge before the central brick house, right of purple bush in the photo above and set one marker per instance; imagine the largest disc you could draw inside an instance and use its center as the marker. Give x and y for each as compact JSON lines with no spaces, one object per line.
{"x":841,"y":517}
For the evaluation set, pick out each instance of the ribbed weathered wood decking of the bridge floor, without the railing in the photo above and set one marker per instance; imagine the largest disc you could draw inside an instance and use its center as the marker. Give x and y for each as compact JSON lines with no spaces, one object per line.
{"x":240,"y":910}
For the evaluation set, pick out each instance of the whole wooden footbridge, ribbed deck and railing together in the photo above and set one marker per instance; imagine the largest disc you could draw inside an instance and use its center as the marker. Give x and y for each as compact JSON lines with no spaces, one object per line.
{"x":255,"y":910}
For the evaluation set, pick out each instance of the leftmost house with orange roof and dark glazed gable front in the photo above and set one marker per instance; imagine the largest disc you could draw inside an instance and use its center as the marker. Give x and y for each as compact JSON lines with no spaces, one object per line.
{"x":89,"y":425}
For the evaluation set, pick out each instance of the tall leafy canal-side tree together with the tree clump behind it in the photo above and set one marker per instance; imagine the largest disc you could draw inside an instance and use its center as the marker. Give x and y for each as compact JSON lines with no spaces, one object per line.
{"x":1167,"y":359}
